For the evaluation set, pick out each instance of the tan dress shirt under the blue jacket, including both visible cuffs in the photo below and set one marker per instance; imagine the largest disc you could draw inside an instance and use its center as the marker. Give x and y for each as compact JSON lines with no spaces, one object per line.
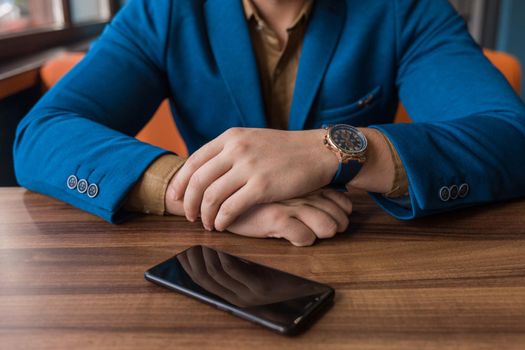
{"x":278,"y":65}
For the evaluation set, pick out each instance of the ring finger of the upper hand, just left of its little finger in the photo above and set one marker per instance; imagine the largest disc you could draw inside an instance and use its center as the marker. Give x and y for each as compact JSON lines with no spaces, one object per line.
{"x":215,"y":195}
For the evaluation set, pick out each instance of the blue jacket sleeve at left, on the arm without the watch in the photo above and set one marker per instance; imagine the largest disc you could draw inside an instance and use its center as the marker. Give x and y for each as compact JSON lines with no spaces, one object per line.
{"x":84,"y":126}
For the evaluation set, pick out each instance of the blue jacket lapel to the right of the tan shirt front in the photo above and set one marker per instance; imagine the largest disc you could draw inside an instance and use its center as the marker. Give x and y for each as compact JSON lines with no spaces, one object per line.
{"x":320,"y":41}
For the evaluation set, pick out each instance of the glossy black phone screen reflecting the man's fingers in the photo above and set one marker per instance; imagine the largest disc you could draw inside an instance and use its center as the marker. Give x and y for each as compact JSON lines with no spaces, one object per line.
{"x":264,"y":292}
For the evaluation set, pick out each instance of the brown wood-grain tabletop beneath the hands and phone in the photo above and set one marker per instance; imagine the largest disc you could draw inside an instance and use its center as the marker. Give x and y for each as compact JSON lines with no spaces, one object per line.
{"x":68,"y":280}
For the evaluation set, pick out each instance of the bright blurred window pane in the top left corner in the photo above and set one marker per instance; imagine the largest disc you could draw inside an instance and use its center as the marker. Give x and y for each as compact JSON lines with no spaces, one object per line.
{"x":24,"y":15}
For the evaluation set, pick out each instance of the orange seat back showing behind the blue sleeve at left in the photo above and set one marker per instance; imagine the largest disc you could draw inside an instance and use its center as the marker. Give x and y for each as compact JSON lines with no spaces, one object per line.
{"x":159,"y":131}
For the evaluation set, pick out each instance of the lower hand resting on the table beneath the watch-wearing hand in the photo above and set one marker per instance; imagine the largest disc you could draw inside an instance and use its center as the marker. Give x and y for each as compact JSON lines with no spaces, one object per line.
{"x":301,"y":221}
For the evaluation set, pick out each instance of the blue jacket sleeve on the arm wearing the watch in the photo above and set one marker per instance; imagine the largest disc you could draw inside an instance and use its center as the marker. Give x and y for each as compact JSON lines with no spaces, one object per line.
{"x":465,"y":146}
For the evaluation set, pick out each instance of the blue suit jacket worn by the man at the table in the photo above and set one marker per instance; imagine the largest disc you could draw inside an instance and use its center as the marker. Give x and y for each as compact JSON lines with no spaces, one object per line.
{"x":469,"y":126}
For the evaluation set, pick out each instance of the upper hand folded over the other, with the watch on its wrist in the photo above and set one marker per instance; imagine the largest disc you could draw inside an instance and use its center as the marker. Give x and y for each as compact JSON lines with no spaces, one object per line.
{"x":244,"y":167}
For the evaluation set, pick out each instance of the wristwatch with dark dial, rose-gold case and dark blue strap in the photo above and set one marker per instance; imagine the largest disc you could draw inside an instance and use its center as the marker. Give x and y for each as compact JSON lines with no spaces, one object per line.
{"x":349,"y":145}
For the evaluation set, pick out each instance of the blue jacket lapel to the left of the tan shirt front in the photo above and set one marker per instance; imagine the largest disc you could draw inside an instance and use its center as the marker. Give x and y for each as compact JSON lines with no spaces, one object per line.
{"x":231,"y":44}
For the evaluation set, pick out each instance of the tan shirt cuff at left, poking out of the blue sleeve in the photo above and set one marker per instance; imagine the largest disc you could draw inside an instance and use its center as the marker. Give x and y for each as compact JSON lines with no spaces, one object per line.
{"x":148,"y":194}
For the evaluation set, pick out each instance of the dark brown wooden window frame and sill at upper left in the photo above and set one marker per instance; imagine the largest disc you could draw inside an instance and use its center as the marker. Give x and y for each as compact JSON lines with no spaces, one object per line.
{"x":34,"y":41}
